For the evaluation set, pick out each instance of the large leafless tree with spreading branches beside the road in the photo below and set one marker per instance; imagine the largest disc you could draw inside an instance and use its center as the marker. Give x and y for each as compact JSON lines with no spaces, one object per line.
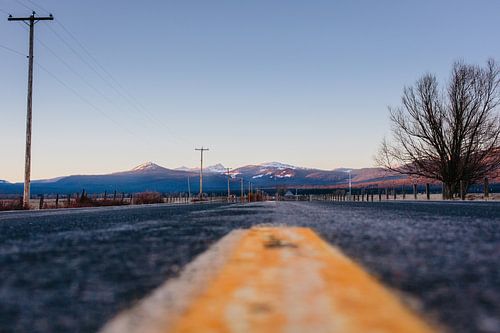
{"x":450,"y":135}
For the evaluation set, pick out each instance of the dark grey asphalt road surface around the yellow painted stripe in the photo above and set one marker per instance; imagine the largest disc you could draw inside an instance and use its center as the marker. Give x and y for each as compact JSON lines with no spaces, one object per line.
{"x":72,"y":270}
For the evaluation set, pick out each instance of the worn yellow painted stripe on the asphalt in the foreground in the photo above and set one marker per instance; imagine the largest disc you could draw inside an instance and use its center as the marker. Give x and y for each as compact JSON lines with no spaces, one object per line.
{"x":282,"y":280}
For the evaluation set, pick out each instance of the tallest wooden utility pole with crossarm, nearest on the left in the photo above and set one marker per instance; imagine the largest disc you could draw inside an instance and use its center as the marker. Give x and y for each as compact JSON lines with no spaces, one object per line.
{"x":27,"y":162}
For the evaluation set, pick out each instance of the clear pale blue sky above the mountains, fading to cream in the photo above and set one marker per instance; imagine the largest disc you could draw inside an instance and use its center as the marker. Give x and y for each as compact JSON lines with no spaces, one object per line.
{"x":301,"y":82}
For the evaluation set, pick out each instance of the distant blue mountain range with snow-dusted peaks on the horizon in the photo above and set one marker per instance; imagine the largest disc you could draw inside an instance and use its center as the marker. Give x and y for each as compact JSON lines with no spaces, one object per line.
{"x":153,"y":177}
